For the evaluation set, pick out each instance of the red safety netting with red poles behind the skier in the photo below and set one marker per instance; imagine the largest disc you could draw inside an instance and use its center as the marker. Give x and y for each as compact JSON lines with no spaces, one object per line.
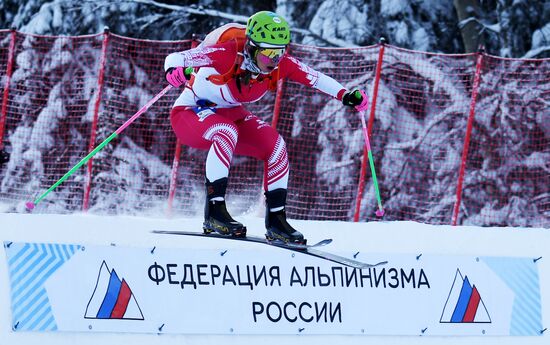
{"x":456,"y":139}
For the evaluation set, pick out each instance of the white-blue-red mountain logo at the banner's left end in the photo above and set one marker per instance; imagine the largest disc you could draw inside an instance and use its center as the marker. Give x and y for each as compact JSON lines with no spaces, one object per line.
{"x":112,"y":298}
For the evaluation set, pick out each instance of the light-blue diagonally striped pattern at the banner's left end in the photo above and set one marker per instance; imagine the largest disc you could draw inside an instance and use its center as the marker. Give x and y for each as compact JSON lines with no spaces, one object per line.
{"x":30,"y":265}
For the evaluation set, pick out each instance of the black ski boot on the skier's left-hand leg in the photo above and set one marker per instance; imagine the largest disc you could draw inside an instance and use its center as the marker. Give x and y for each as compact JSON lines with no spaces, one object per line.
{"x":216,"y":217}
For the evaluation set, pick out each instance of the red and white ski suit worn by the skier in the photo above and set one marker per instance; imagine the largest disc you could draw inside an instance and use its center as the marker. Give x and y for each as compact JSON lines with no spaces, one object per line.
{"x":211,"y":117}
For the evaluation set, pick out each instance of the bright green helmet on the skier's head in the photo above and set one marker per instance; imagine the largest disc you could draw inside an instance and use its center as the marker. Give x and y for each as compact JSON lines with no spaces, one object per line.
{"x":266,"y":28}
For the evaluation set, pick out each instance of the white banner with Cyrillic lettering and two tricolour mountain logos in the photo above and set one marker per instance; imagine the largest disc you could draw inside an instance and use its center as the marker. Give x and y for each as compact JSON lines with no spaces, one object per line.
{"x":58,"y":287}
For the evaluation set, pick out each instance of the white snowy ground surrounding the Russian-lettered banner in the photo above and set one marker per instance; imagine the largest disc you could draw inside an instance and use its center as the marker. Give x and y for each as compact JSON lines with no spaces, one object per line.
{"x":394,"y":237}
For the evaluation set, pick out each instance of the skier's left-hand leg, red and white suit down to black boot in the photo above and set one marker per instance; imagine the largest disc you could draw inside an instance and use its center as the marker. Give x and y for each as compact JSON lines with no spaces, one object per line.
{"x":204,"y":129}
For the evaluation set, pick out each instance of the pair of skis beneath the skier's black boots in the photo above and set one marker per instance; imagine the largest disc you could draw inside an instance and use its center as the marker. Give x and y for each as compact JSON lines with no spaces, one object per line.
{"x":304,"y":249}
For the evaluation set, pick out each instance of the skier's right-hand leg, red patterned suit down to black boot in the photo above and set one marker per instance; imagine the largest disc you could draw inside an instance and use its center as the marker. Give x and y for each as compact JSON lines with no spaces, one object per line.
{"x":260,"y":140}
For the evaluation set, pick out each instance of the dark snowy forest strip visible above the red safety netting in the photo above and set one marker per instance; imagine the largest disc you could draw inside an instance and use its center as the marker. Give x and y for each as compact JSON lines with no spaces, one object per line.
{"x":507,"y":28}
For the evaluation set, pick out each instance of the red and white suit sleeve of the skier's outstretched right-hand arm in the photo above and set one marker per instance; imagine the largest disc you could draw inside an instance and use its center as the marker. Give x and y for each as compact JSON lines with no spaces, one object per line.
{"x":299,"y":72}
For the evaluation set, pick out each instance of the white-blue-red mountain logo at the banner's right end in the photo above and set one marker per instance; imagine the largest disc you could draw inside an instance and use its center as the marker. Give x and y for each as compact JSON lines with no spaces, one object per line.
{"x":464,"y":304}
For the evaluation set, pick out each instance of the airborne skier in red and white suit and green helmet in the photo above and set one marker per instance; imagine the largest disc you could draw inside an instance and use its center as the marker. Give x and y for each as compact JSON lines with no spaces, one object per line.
{"x":209,"y":114}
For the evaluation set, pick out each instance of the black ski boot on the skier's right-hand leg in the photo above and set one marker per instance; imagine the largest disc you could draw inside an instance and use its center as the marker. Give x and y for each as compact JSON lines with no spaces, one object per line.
{"x":277,"y":228}
